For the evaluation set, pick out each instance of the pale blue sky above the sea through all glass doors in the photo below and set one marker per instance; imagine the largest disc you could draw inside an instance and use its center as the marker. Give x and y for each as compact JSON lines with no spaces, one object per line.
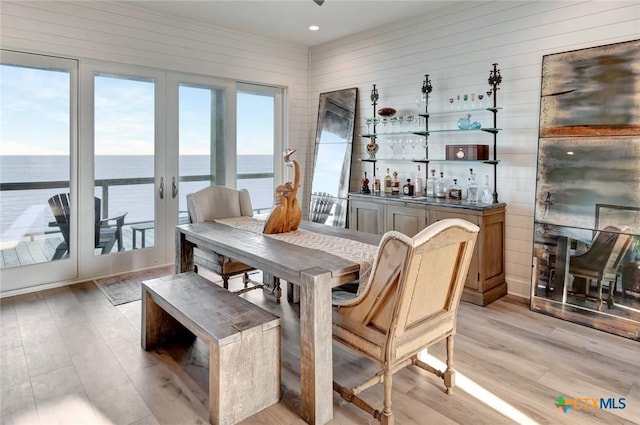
{"x":34,"y":115}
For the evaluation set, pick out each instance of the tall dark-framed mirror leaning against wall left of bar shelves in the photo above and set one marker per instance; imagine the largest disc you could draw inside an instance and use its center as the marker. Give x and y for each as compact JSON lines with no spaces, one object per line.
{"x":332,"y":160}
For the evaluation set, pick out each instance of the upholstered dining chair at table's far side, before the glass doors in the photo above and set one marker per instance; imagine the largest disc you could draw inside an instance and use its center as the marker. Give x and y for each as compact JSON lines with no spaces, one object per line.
{"x":216,"y":202}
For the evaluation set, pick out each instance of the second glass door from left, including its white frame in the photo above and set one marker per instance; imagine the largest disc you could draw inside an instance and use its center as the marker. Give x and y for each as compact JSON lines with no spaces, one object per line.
{"x":123,"y":185}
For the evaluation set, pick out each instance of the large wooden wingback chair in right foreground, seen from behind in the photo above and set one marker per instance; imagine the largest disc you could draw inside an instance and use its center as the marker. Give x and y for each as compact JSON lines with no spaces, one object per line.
{"x":409,"y":303}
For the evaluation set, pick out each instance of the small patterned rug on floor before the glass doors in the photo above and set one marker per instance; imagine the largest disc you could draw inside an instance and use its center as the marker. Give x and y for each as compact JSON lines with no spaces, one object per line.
{"x":127,"y":287}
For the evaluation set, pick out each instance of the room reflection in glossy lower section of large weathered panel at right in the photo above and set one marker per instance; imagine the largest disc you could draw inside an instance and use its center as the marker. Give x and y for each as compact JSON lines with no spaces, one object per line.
{"x":591,"y":276}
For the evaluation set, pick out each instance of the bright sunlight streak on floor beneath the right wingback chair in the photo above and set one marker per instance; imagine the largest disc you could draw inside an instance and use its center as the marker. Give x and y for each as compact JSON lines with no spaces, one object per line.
{"x":482,"y":394}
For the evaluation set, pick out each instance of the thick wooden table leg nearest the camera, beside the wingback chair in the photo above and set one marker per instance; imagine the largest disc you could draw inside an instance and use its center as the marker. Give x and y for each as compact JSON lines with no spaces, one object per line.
{"x":315,"y":347}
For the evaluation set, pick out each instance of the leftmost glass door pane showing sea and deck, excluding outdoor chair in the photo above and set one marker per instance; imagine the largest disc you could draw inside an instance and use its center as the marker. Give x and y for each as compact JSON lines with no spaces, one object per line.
{"x":34,"y":162}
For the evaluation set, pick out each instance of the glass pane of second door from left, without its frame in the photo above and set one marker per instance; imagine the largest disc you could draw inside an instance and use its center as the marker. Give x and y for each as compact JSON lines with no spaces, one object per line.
{"x":124,"y":118}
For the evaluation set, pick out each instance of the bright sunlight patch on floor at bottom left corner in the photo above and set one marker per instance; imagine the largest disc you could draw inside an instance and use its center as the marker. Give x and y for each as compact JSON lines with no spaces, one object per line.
{"x":71,"y":409}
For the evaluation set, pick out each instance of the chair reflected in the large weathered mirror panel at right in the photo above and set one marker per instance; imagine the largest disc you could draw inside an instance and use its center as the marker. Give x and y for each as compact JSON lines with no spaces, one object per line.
{"x":601,"y":261}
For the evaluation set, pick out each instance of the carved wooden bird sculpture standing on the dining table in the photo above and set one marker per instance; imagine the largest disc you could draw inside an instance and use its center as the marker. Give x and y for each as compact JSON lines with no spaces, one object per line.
{"x":286,"y":214}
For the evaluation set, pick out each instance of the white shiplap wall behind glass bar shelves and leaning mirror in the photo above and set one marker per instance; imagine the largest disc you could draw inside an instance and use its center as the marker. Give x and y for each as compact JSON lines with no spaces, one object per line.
{"x":457,"y":46}
